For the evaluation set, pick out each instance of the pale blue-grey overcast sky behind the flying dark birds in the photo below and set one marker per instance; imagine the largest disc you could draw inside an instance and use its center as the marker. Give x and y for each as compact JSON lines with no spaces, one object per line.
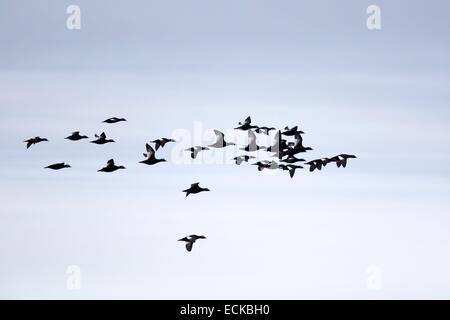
{"x":174,"y":67}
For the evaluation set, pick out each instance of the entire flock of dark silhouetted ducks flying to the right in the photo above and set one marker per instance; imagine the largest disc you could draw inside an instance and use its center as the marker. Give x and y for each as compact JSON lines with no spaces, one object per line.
{"x":282,"y":149}
